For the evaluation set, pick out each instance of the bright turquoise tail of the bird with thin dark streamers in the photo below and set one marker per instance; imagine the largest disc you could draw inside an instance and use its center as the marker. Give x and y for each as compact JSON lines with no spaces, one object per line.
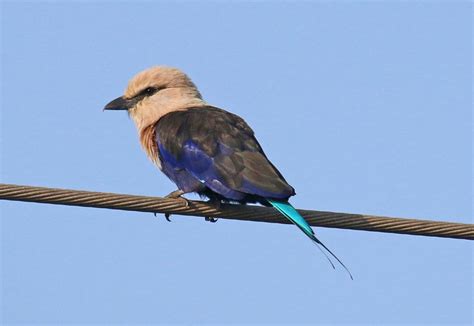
{"x":292,"y":214}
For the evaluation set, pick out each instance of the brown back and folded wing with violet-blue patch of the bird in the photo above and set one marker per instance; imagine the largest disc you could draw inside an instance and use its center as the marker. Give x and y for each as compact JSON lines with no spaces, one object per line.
{"x":218,"y":149}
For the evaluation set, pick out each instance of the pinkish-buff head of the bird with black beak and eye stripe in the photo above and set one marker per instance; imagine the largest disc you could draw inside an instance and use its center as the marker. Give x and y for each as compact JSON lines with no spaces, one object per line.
{"x":155,"y":92}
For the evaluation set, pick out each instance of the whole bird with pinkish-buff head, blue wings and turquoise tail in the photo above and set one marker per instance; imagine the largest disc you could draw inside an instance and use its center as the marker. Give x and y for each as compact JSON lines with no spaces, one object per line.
{"x":204,"y":149}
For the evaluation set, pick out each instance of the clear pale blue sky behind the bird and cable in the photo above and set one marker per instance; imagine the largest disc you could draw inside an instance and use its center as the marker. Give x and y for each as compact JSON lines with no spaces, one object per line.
{"x":365,"y":107}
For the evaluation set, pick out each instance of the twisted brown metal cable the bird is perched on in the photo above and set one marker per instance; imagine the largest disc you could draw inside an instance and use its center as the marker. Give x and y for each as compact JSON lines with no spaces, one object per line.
{"x":236,"y":212}
